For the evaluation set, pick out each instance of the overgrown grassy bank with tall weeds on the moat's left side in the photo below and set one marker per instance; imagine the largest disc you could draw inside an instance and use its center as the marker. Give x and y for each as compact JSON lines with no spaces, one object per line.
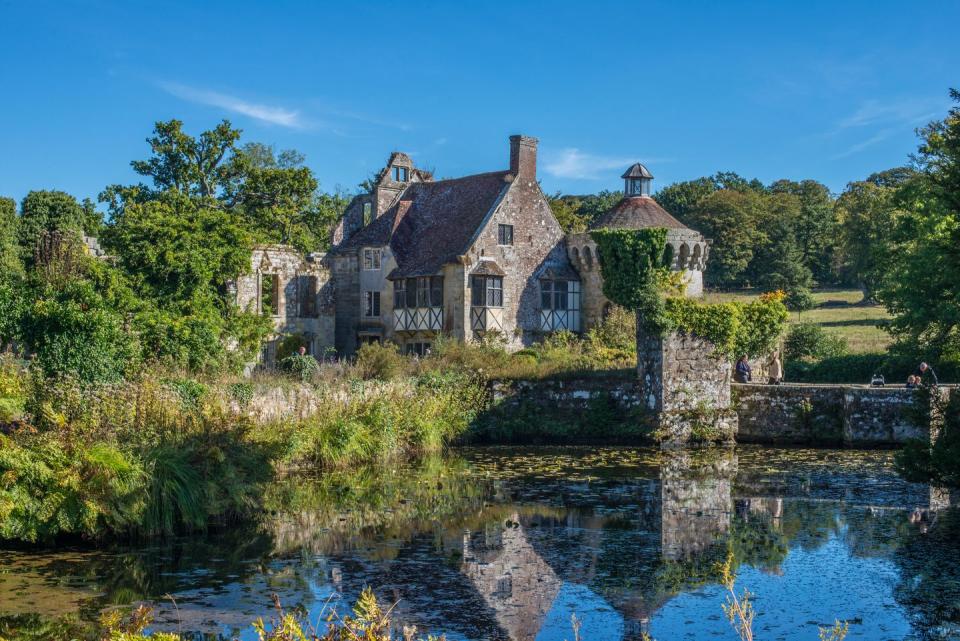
{"x":162,"y":454}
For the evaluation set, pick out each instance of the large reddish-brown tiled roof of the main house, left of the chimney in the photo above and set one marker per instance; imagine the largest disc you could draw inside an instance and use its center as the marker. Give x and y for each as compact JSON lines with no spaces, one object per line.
{"x":432,"y":223}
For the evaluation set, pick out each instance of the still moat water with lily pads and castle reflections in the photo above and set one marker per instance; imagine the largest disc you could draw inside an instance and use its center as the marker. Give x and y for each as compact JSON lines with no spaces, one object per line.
{"x":498,"y":543}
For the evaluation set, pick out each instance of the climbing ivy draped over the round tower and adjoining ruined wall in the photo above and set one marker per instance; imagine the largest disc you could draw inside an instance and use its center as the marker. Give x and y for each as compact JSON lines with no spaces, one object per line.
{"x":635,"y":264}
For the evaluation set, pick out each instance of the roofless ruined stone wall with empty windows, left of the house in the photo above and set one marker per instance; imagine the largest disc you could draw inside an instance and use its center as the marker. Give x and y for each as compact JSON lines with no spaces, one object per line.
{"x":295,"y":291}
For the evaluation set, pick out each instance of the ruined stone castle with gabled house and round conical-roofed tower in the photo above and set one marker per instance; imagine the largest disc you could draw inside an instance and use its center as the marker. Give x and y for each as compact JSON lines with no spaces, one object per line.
{"x":465,"y":257}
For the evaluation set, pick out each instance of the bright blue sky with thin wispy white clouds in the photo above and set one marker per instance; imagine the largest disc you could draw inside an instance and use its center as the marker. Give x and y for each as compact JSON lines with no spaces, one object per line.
{"x":823,"y":90}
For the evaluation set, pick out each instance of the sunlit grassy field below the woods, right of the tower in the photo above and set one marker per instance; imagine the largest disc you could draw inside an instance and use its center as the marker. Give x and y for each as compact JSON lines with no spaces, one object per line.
{"x":840,"y":312}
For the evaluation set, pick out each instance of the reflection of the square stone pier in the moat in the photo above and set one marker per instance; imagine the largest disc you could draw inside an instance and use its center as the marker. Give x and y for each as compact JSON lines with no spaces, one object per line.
{"x":696,"y":502}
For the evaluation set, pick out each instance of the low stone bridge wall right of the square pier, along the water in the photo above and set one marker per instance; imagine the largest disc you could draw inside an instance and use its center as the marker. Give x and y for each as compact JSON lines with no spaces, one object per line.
{"x":853,"y":416}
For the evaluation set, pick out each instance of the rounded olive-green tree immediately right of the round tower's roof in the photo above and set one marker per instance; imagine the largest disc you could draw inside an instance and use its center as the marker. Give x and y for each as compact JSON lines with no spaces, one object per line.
{"x":730,"y":218}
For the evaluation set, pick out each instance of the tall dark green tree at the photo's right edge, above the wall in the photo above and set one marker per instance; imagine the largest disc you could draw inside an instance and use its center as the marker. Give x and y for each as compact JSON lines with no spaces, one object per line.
{"x":920,"y":286}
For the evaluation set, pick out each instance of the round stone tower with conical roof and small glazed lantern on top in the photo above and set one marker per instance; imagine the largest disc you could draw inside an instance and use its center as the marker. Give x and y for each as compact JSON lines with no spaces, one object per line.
{"x":636,"y":210}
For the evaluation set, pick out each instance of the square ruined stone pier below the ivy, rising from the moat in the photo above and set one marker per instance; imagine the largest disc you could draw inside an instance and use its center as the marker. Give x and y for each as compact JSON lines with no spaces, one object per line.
{"x":687,"y":388}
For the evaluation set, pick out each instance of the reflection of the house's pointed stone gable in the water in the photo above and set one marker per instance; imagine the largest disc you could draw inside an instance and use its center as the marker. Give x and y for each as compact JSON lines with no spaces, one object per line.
{"x":513,"y":579}
